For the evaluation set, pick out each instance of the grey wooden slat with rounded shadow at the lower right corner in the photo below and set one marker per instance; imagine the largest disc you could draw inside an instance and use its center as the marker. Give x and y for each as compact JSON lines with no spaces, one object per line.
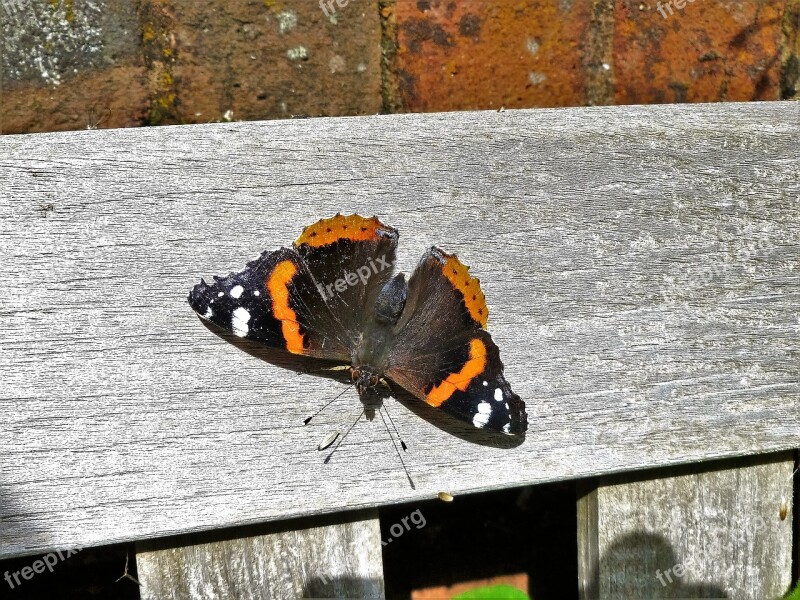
{"x":689,"y":532}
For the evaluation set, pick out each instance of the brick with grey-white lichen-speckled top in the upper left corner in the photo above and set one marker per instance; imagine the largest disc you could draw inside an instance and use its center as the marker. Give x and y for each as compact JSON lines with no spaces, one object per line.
{"x":67,"y":64}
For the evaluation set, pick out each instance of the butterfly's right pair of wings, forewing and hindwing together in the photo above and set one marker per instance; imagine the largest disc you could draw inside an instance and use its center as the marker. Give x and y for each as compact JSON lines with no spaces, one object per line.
{"x":443,"y":355}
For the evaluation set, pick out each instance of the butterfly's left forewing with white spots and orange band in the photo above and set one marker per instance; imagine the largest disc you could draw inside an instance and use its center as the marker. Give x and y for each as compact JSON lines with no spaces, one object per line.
{"x":274,"y":301}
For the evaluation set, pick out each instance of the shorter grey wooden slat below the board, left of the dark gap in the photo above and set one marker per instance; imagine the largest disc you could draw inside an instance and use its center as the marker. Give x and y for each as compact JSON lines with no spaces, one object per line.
{"x":340,"y":559}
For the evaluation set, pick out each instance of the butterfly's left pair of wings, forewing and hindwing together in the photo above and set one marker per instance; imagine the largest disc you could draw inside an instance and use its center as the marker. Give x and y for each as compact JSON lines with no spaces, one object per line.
{"x":311,"y":299}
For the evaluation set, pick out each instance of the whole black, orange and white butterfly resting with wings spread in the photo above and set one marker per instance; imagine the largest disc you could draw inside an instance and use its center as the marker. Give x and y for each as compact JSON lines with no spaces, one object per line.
{"x":333,"y":296}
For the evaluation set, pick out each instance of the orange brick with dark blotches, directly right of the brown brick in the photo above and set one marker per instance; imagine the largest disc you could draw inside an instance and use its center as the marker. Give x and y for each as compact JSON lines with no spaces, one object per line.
{"x":484,"y":54}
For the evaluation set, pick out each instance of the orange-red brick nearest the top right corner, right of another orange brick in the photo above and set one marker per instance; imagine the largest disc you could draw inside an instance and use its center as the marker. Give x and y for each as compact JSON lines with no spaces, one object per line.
{"x":705,"y":52}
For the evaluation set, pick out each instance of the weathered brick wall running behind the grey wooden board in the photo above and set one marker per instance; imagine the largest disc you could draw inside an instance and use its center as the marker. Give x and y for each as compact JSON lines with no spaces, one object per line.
{"x":69,"y":64}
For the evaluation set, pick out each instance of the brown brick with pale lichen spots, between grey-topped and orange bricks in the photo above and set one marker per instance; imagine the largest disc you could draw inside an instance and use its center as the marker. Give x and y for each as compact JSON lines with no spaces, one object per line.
{"x":220,"y":60}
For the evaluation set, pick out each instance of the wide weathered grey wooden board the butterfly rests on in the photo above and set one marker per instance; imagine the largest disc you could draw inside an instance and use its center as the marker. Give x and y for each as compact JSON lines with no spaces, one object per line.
{"x":641,"y":266}
